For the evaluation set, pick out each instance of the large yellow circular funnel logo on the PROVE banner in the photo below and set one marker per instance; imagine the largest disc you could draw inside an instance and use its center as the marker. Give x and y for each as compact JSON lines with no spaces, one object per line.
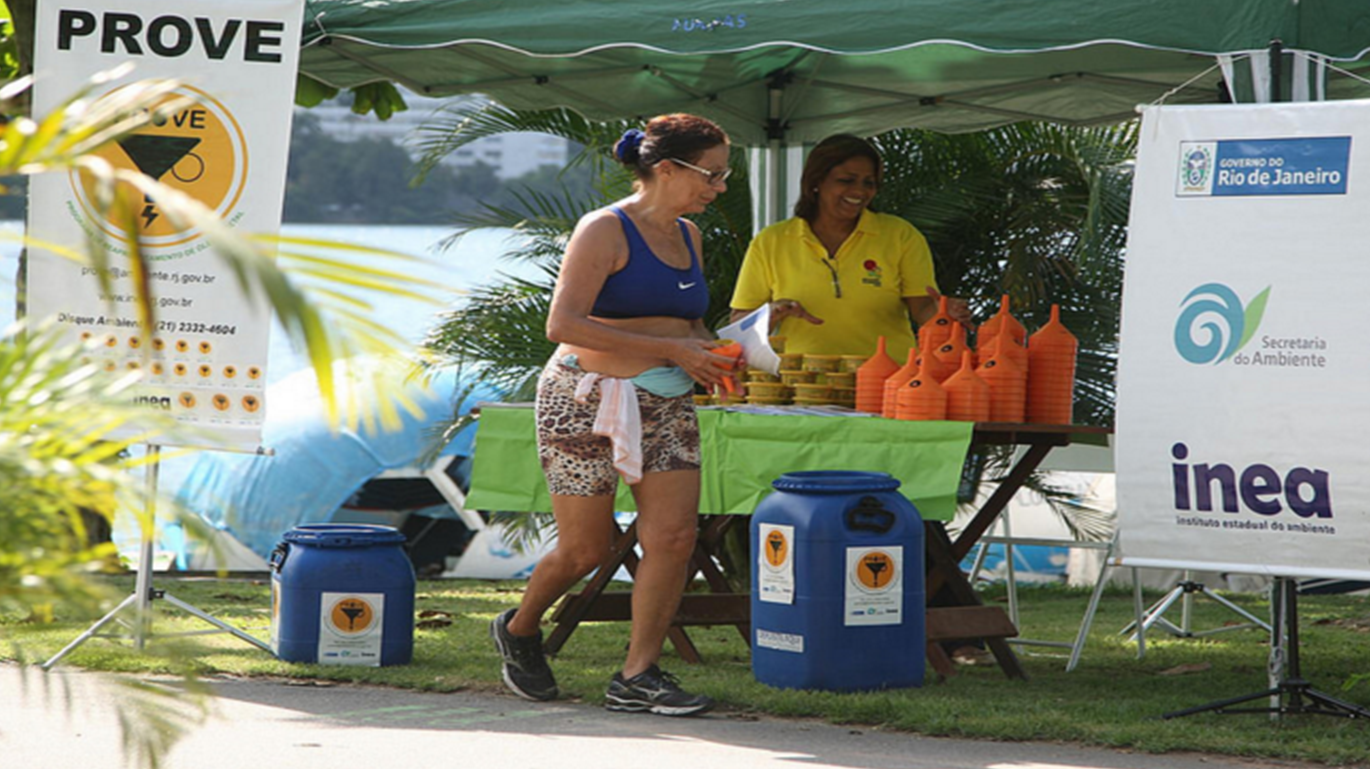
{"x":198,"y":150}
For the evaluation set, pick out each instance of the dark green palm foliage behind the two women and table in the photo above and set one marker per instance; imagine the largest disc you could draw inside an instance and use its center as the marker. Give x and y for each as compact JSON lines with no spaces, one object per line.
{"x":1032,"y":212}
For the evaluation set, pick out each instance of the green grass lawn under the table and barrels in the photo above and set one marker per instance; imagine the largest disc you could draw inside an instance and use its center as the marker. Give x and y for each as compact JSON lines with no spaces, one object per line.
{"x":1110,"y":700}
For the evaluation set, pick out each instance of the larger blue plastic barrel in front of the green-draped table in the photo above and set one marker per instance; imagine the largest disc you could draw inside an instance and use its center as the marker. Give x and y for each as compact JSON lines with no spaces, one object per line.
{"x":838,"y":586}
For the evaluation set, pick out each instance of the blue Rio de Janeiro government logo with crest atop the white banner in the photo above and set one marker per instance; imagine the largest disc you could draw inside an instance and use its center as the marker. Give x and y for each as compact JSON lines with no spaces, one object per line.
{"x":1264,"y":167}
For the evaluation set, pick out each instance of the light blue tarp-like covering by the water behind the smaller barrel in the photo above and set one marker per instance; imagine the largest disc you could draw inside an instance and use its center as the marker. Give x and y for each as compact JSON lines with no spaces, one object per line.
{"x":314,"y":469}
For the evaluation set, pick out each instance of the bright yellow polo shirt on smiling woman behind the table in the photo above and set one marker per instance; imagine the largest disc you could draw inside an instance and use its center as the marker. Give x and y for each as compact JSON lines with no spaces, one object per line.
{"x":884,"y":261}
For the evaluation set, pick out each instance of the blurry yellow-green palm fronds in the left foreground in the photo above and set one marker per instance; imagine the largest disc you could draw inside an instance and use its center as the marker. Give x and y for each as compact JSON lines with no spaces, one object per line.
{"x":66,"y":426}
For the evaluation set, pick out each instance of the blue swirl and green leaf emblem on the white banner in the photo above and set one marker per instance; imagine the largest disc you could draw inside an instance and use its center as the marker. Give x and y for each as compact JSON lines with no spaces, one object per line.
{"x":1213,"y":326}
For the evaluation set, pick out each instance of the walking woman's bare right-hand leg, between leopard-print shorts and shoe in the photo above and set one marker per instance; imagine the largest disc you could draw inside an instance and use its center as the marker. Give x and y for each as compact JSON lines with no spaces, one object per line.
{"x":668,"y":519}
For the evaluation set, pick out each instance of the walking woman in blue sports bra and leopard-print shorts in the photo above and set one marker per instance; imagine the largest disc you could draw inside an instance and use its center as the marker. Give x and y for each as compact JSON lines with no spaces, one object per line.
{"x":616,"y":401}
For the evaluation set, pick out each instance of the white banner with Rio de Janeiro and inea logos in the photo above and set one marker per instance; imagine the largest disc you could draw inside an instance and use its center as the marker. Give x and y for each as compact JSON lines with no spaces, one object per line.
{"x":1243,"y":378}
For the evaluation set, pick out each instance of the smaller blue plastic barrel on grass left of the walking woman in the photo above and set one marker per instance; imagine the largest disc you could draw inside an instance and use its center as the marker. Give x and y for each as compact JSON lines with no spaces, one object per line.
{"x":343,"y":594}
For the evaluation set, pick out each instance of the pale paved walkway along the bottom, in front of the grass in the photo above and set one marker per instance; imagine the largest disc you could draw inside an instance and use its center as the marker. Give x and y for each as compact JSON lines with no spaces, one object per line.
{"x":71,"y":720}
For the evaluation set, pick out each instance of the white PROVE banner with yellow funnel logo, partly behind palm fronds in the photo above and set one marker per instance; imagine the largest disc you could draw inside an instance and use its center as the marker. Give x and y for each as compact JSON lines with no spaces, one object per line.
{"x":228,"y":150}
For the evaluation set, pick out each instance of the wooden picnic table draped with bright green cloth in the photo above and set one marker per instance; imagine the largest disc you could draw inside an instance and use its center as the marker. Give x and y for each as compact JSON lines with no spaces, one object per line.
{"x":956,"y":611}
